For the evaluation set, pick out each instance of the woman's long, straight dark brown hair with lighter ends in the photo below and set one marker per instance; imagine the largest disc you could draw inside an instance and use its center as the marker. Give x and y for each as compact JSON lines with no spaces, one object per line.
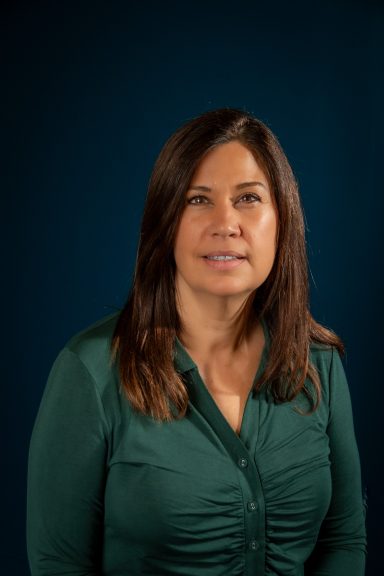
{"x":144,"y":339}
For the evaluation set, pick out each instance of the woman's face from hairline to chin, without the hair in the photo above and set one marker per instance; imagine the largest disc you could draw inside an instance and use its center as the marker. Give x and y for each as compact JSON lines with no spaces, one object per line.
{"x":226,"y":240}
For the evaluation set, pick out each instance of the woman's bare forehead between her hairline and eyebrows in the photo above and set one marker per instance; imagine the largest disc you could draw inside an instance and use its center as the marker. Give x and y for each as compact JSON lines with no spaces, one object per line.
{"x":231,"y":161}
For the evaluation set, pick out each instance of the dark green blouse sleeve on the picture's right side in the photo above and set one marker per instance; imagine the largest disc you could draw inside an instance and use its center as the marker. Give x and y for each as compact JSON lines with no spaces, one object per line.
{"x":341,"y":545}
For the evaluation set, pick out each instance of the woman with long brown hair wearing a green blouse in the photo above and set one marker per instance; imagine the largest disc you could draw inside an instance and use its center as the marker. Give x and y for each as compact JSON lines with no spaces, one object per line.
{"x":206,"y":430}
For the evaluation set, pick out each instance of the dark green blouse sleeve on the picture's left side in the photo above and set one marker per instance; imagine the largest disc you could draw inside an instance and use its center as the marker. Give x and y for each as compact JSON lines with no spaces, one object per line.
{"x":66,"y":474}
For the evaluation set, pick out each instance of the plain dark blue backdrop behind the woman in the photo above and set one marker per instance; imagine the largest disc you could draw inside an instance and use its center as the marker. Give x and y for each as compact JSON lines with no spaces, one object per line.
{"x":89,"y":93}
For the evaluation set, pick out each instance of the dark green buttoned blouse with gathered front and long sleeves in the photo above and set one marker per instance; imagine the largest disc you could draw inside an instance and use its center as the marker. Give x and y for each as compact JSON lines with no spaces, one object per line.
{"x":112,"y":492}
